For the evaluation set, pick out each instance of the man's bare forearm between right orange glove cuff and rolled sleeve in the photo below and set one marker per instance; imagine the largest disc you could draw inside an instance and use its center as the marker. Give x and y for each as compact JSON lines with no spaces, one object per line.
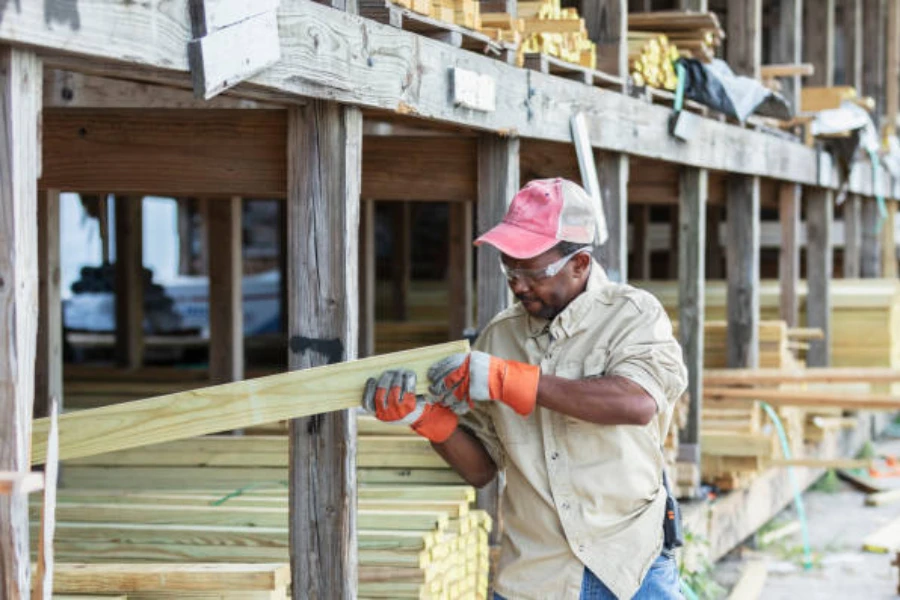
{"x":609,"y":400}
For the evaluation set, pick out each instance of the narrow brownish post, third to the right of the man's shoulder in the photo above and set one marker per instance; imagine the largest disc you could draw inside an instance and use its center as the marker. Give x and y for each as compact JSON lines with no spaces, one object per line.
{"x":789,"y":253}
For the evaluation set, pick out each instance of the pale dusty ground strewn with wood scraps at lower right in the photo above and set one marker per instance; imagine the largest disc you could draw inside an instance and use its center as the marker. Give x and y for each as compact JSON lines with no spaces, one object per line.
{"x":838,"y":522}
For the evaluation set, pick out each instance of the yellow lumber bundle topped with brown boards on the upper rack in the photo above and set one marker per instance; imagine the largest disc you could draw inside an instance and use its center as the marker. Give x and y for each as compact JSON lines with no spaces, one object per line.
{"x":657,"y":39}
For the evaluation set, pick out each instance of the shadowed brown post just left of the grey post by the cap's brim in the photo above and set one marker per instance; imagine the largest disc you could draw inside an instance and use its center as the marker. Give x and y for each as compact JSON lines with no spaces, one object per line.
{"x":459,"y":269}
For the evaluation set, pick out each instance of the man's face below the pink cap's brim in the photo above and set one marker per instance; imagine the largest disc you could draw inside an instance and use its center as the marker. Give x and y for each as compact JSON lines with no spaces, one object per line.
{"x":546,"y":297}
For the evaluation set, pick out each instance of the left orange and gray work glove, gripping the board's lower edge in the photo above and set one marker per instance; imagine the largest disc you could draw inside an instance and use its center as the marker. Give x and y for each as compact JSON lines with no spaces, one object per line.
{"x":393,"y":400}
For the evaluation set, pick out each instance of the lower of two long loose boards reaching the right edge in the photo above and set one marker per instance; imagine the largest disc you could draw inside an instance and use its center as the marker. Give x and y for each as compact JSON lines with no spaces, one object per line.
{"x":805,"y":398}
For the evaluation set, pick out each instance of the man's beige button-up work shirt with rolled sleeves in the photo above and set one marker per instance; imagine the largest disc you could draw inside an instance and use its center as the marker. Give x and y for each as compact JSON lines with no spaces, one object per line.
{"x":579,"y":494}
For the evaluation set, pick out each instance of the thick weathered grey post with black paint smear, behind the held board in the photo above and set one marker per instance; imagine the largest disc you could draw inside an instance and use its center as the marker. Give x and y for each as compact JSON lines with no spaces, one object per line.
{"x":324,"y":149}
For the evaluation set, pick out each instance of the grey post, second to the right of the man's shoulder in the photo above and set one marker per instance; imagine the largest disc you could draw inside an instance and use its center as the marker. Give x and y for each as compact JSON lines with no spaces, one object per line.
{"x":742,"y":256}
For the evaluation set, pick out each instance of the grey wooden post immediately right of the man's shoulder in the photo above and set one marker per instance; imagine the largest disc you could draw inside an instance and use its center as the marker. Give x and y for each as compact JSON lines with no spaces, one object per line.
{"x":691,"y":296}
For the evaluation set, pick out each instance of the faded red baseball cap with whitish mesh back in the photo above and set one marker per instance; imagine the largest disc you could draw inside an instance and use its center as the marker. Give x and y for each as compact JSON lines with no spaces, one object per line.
{"x":542,"y":214}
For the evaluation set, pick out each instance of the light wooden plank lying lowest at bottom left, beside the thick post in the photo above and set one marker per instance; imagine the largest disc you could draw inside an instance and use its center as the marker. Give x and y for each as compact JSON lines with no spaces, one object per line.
{"x":73,"y":578}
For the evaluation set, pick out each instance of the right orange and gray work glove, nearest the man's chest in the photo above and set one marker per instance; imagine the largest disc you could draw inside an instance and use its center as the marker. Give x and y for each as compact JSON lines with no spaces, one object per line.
{"x":478,"y":377}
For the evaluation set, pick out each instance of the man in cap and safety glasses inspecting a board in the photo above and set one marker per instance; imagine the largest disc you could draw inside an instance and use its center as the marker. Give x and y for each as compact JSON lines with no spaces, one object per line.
{"x":571,"y":392}
